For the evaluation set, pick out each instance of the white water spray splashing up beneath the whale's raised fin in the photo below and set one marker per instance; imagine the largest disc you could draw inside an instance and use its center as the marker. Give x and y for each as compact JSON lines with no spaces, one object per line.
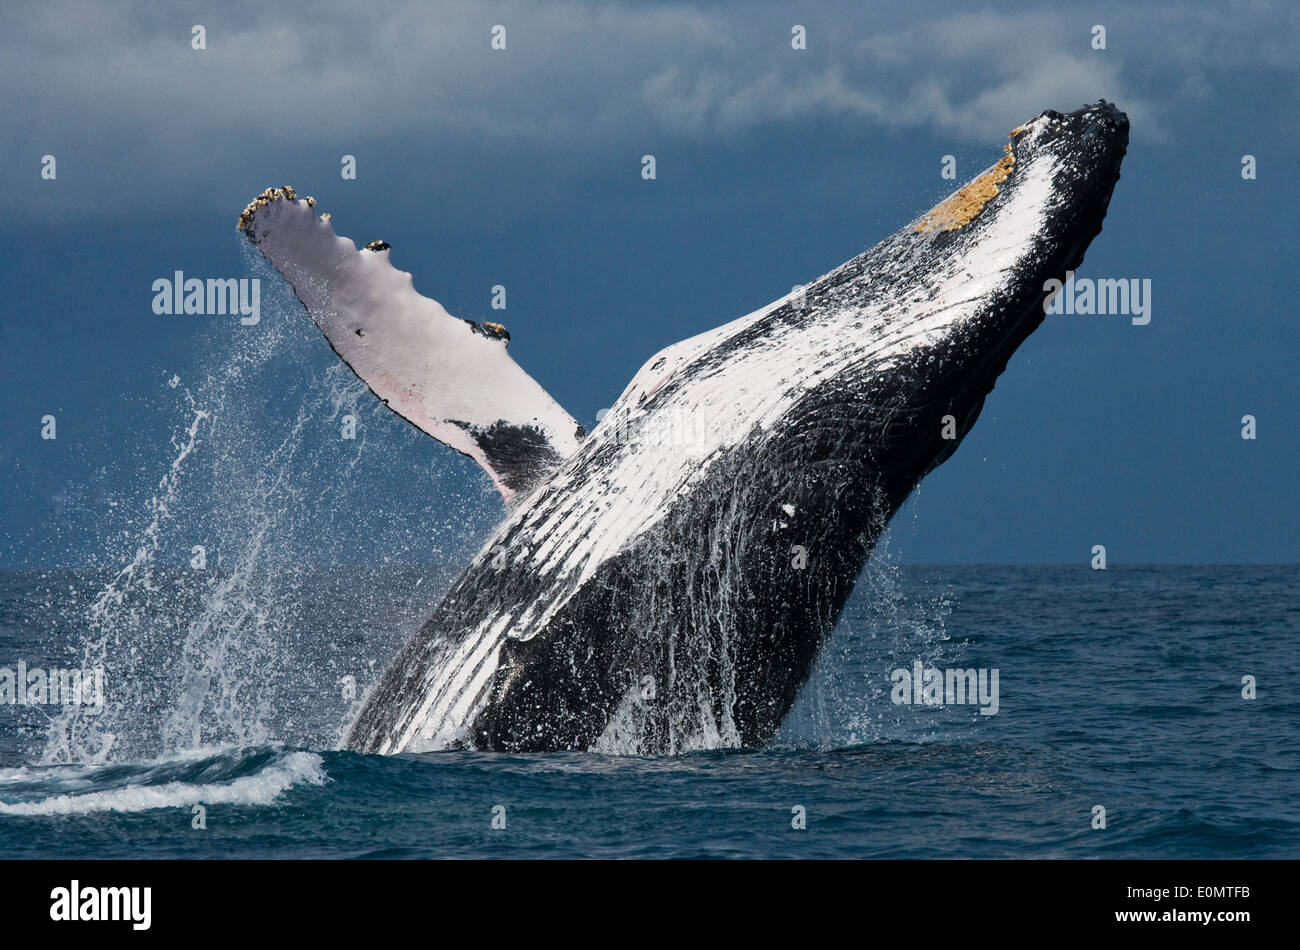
{"x":216,"y":632}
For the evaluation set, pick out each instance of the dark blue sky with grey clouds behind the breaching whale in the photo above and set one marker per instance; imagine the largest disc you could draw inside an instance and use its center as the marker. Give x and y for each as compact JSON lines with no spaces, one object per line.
{"x":522,"y":168}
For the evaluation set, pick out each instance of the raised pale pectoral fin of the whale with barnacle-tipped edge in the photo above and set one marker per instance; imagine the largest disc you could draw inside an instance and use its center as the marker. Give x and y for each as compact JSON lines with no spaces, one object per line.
{"x":450,"y":378}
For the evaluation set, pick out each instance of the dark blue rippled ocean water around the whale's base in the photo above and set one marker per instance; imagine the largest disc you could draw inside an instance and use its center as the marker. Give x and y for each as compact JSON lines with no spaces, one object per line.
{"x":1119,"y":688}
